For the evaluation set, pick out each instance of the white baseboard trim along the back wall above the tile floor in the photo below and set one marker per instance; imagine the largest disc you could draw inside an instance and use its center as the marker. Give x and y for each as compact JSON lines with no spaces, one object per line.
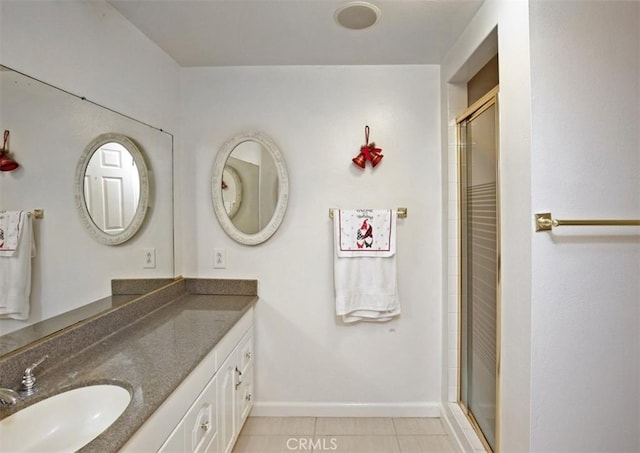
{"x":313,"y":409}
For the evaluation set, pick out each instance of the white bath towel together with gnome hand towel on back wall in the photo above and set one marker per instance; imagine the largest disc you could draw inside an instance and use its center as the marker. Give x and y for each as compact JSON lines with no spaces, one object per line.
{"x":365,"y":282}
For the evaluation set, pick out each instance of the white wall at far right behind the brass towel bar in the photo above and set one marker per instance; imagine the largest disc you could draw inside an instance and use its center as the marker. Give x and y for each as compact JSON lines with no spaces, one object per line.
{"x":585,"y":367}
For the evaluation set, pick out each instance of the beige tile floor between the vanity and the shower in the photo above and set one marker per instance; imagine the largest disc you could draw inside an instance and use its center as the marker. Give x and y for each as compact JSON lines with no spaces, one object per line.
{"x":340,"y":435}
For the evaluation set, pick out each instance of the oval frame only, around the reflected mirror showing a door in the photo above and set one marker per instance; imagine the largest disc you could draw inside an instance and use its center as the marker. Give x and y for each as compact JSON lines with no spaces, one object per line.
{"x":143,"y":202}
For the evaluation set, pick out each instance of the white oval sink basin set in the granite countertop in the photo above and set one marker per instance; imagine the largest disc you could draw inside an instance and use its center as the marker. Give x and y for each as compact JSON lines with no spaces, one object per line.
{"x":64,"y":422}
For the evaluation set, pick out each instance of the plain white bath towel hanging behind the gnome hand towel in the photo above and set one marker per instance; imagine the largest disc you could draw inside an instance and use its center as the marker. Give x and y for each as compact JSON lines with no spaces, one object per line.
{"x":365,"y":286}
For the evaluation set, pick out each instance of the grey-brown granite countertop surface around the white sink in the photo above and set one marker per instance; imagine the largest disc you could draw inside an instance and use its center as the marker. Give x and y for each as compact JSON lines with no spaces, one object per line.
{"x":149,"y":357}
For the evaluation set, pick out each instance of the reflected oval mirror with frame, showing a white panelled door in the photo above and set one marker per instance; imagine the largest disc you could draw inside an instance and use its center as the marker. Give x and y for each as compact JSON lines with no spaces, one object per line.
{"x":112,"y":188}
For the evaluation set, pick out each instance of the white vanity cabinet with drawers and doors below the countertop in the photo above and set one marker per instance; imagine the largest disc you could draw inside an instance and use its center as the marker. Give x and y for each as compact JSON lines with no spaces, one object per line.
{"x":207,"y":410}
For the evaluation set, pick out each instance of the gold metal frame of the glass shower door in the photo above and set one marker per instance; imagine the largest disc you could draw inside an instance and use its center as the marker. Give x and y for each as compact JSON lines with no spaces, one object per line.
{"x":473,"y":111}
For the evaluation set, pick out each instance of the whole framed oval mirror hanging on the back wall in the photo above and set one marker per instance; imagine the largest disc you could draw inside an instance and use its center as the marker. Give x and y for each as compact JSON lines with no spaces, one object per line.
{"x":257,"y":163}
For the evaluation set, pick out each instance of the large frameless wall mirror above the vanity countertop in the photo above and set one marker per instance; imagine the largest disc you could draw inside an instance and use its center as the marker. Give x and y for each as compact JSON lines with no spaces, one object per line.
{"x":54,"y":134}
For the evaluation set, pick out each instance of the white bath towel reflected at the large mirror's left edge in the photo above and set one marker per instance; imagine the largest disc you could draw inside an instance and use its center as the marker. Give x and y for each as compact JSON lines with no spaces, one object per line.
{"x":15,"y":272}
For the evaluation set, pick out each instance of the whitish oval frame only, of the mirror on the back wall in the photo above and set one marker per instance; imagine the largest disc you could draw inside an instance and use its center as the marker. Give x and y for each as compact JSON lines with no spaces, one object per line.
{"x":283,"y":188}
